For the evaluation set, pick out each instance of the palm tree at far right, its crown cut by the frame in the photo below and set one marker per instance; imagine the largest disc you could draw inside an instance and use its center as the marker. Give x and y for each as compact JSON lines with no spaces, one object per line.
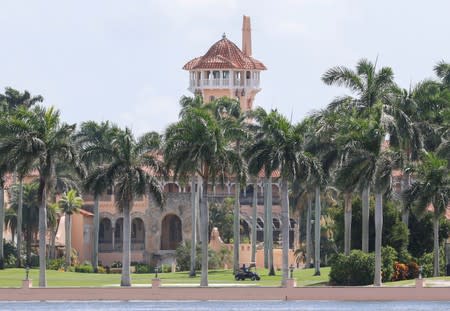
{"x":431,"y":190}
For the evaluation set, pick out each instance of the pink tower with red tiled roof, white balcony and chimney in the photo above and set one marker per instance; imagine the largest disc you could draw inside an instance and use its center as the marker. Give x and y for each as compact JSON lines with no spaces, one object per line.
{"x":225,"y":70}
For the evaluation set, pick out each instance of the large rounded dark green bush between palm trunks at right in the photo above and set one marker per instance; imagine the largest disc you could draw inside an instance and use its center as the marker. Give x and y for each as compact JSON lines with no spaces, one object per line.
{"x":356,"y":269}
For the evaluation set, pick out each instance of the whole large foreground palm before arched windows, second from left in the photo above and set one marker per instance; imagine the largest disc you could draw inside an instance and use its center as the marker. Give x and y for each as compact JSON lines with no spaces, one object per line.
{"x":132,"y":171}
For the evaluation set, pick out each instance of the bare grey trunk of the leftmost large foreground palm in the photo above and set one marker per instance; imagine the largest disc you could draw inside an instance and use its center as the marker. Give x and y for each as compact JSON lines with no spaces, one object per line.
{"x":42,"y":235}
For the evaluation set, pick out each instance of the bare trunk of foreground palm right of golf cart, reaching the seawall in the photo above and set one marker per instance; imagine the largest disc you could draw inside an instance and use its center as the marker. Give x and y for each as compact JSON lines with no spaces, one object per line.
{"x":285,"y":228}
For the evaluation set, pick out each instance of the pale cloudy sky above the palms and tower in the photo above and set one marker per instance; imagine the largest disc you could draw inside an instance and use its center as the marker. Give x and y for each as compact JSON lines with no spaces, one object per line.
{"x":122,"y":60}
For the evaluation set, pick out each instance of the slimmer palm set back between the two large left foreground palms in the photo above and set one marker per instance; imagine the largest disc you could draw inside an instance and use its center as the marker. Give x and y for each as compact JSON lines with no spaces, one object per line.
{"x":94,"y":136}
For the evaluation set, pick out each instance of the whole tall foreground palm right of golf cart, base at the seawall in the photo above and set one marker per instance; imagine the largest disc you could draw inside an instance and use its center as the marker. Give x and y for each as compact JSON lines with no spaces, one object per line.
{"x":279,"y":145}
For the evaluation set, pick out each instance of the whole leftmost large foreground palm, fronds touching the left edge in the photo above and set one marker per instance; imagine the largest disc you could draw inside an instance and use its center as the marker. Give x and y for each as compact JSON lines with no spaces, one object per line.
{"x":38,"y":136}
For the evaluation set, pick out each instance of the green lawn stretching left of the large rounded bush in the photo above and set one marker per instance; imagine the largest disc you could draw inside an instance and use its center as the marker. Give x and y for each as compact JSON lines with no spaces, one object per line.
{"x":14,"y":277}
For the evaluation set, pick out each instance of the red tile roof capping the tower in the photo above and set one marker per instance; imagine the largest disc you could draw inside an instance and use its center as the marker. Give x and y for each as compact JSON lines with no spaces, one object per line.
{"x":224,"y":54}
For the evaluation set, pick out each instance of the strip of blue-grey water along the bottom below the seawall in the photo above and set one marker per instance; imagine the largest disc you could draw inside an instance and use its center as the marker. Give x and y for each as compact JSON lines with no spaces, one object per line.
{"x":225,"y":305}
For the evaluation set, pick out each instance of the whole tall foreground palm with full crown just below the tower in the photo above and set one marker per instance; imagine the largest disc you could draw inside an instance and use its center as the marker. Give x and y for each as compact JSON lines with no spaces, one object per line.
{"x":198,"y":144}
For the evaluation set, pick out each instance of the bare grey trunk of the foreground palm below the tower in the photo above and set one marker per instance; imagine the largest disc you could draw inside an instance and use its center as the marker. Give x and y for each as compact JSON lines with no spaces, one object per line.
{"x":204,"y":217}
